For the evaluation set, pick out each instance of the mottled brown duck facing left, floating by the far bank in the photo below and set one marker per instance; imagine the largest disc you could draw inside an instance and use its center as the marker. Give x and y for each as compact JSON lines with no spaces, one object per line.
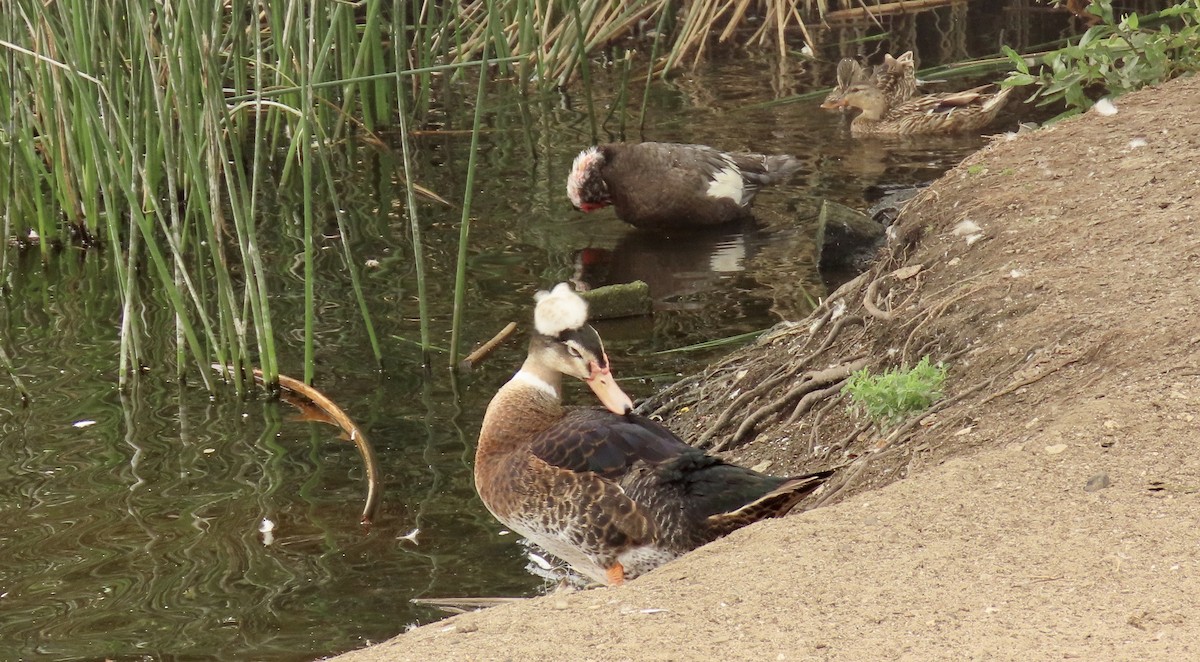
{"x":944,"y":113}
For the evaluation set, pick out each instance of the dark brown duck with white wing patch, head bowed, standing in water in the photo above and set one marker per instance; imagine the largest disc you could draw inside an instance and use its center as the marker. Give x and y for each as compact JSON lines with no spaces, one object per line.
{"x":669,"y":186}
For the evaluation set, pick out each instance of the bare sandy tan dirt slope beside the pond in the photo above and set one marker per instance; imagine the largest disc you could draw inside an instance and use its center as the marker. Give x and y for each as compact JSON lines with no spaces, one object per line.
{"x":1081,"y":298}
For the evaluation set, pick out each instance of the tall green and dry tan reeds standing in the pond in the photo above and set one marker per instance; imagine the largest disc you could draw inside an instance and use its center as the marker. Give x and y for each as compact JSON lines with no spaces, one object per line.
{"x":169,"y":134}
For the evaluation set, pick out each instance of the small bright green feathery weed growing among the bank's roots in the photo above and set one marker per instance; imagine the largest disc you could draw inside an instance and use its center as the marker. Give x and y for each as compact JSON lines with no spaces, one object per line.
{"x":897,"y":394}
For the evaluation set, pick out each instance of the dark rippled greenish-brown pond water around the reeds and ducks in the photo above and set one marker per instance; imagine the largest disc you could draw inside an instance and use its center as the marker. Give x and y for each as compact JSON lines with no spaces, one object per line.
{"x":130,"y":523}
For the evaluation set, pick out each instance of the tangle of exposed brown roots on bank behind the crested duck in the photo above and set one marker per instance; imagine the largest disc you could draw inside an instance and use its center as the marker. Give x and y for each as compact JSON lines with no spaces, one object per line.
{"x":791,"y":378}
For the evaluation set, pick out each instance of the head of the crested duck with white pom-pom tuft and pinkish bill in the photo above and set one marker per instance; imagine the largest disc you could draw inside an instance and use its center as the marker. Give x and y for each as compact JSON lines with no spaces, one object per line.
{"x":565,"y":342}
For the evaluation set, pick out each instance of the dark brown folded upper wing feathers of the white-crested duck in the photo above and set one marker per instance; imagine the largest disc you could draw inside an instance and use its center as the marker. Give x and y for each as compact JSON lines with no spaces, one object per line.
{"x":604,"y":443}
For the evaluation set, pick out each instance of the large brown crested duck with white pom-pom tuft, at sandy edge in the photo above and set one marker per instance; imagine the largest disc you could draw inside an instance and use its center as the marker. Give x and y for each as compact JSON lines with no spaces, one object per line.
{"x":613,"y":494}
